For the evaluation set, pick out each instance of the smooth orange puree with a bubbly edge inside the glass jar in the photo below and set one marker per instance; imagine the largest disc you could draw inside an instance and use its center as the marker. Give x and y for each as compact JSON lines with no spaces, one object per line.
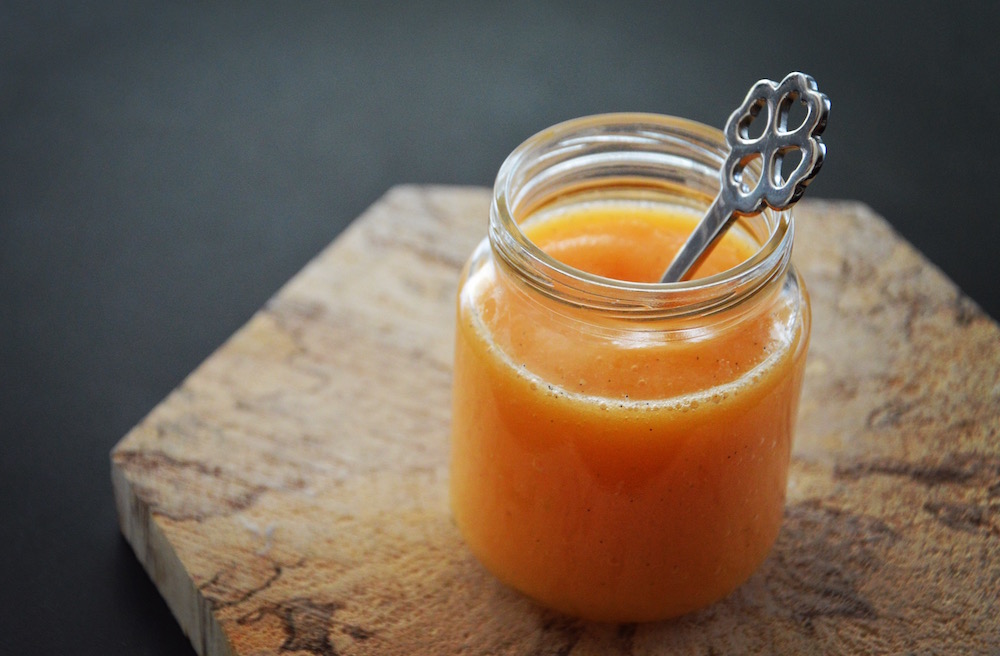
{"x":620,"y":474}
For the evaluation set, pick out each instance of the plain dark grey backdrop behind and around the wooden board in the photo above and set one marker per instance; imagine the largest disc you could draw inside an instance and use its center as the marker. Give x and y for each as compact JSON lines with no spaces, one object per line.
{"x":165,"y":167}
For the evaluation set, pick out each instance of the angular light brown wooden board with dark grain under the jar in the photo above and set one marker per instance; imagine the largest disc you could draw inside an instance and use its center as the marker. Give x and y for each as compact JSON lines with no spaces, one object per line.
{"x":290,"y":497}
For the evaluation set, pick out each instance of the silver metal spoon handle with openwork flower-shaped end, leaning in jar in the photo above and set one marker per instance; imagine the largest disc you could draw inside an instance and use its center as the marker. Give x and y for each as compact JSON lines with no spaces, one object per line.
{"x":778,"y":139}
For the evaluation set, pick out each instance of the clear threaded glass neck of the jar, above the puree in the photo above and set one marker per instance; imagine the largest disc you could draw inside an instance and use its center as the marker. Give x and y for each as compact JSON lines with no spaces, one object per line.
{"x":648,"y":156}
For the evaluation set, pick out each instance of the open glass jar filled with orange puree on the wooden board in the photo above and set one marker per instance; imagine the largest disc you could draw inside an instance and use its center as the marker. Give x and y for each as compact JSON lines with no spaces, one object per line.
{"x":620,"y":447}
